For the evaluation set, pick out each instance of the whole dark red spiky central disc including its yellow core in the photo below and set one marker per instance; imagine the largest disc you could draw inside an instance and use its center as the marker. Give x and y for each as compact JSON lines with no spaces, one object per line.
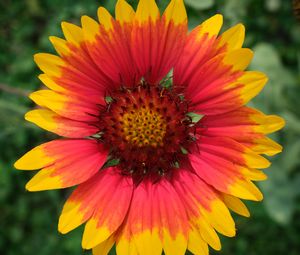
{"x":147,"y":128}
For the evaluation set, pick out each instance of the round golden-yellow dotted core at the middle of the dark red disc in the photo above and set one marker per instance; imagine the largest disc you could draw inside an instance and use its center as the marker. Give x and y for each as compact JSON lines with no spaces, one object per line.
{"x":144,"y":127}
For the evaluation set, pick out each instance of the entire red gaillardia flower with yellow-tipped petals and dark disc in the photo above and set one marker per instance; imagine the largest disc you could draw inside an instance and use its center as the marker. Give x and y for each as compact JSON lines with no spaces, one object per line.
{"x":124,"y":93}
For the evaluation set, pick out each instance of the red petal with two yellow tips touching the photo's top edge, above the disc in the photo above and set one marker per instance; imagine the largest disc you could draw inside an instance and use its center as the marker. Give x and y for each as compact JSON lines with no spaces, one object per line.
{"x":158,"y":42}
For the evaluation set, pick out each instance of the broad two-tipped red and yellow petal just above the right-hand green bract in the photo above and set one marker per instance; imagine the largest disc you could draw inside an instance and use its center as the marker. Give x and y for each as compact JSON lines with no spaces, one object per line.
{"x":225,"y":87}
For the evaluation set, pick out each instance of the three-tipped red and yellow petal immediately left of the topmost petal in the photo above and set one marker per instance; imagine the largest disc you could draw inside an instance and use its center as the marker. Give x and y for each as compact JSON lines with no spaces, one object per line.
{"x":109,"y":45}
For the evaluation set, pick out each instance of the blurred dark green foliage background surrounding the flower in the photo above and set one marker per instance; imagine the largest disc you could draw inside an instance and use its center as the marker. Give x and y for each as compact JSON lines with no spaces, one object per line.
{"x":28,"y":221}
